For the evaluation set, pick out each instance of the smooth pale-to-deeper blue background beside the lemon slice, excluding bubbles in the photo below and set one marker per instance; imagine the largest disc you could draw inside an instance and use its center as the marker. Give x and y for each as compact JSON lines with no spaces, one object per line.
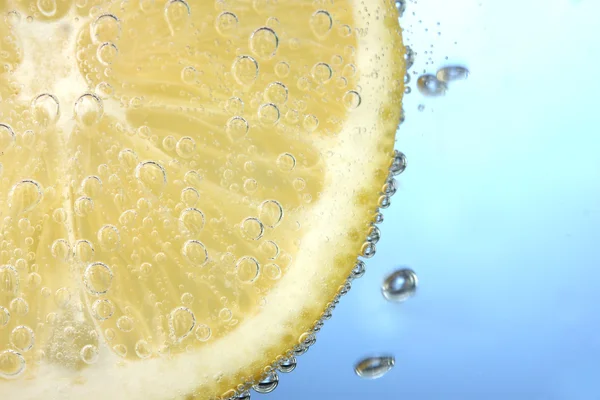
{"x":498,"y":213}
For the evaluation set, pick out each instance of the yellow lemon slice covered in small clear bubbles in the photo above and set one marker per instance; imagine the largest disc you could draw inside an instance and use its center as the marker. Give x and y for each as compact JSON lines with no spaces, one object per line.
{"x":184,"y":186}
